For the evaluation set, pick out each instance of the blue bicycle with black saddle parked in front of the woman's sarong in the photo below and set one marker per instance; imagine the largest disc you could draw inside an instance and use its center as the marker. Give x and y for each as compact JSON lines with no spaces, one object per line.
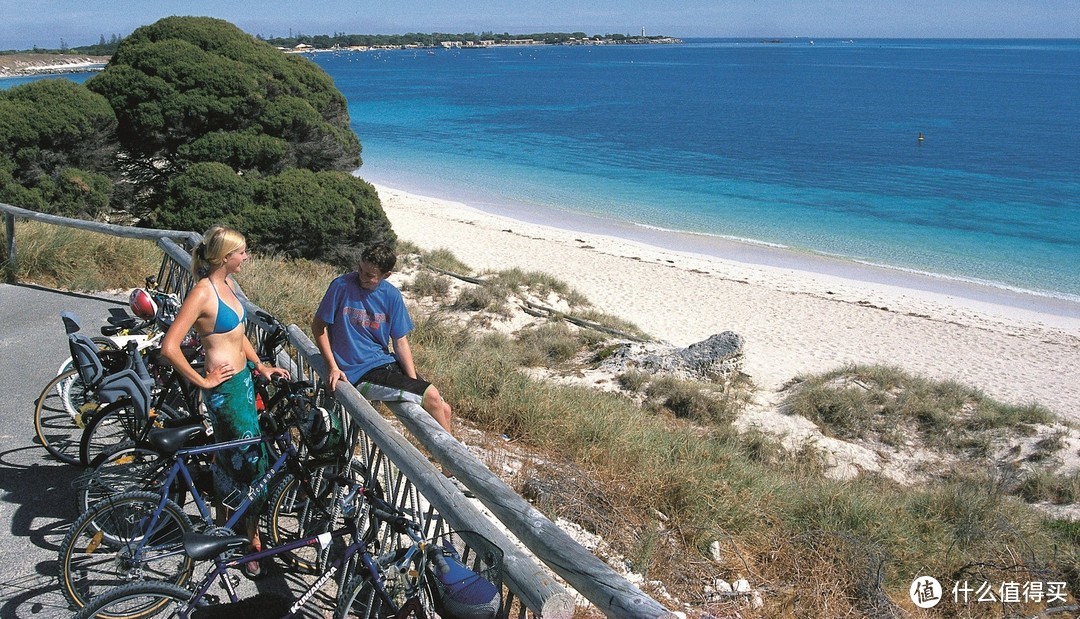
{"x":133,"y":534}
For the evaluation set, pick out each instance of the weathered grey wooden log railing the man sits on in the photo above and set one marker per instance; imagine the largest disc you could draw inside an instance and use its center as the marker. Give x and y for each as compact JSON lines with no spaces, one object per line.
{"x":412,"y":481}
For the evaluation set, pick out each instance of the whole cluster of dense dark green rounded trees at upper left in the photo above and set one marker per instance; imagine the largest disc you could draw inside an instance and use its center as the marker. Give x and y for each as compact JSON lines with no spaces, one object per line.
{"x":193,"y":124}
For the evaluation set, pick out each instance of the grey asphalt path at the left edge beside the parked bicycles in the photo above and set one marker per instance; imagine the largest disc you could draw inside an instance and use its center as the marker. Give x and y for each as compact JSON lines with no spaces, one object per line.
{"x":37,"y":503}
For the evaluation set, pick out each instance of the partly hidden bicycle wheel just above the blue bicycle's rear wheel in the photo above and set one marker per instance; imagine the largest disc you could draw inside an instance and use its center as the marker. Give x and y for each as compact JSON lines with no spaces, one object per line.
{"x":123,"y":469}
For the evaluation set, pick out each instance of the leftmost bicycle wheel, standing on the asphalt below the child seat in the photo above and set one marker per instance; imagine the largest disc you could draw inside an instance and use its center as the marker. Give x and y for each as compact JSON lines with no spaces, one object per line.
{"x":58,"y":428}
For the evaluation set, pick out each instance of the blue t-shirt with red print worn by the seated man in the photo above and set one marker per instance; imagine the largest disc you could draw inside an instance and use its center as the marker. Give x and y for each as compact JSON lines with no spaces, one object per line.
{"x":362,"y":324}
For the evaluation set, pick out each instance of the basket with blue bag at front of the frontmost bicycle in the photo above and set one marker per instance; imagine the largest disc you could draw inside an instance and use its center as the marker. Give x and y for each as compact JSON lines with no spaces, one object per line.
{"x":470,"y":587}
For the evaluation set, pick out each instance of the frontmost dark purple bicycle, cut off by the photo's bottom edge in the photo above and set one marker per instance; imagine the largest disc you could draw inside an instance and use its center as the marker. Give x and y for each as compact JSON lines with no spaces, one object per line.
{"x":409,"y":583}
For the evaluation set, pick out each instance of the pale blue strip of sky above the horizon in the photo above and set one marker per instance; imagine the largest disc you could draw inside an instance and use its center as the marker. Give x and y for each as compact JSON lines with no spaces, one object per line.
{"x":45,"y":23}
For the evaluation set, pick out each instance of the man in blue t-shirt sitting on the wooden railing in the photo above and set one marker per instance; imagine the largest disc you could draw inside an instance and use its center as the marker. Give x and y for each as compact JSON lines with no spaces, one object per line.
{"x":360,"y":328}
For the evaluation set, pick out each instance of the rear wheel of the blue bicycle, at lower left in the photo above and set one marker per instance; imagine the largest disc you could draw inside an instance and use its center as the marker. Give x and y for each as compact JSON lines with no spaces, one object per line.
{"x":118,"y":542}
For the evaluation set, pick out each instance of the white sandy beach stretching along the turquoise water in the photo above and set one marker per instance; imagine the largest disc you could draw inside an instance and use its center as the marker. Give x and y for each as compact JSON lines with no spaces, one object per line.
{"x":805,"y":317}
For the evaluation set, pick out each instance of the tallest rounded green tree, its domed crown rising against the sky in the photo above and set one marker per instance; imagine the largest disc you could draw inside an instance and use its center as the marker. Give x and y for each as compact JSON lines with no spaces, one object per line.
{"x":197,"y":90}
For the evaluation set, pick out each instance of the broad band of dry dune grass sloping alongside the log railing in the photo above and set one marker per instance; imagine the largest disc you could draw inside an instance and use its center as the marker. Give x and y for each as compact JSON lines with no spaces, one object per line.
{"x":692,"y":481}
